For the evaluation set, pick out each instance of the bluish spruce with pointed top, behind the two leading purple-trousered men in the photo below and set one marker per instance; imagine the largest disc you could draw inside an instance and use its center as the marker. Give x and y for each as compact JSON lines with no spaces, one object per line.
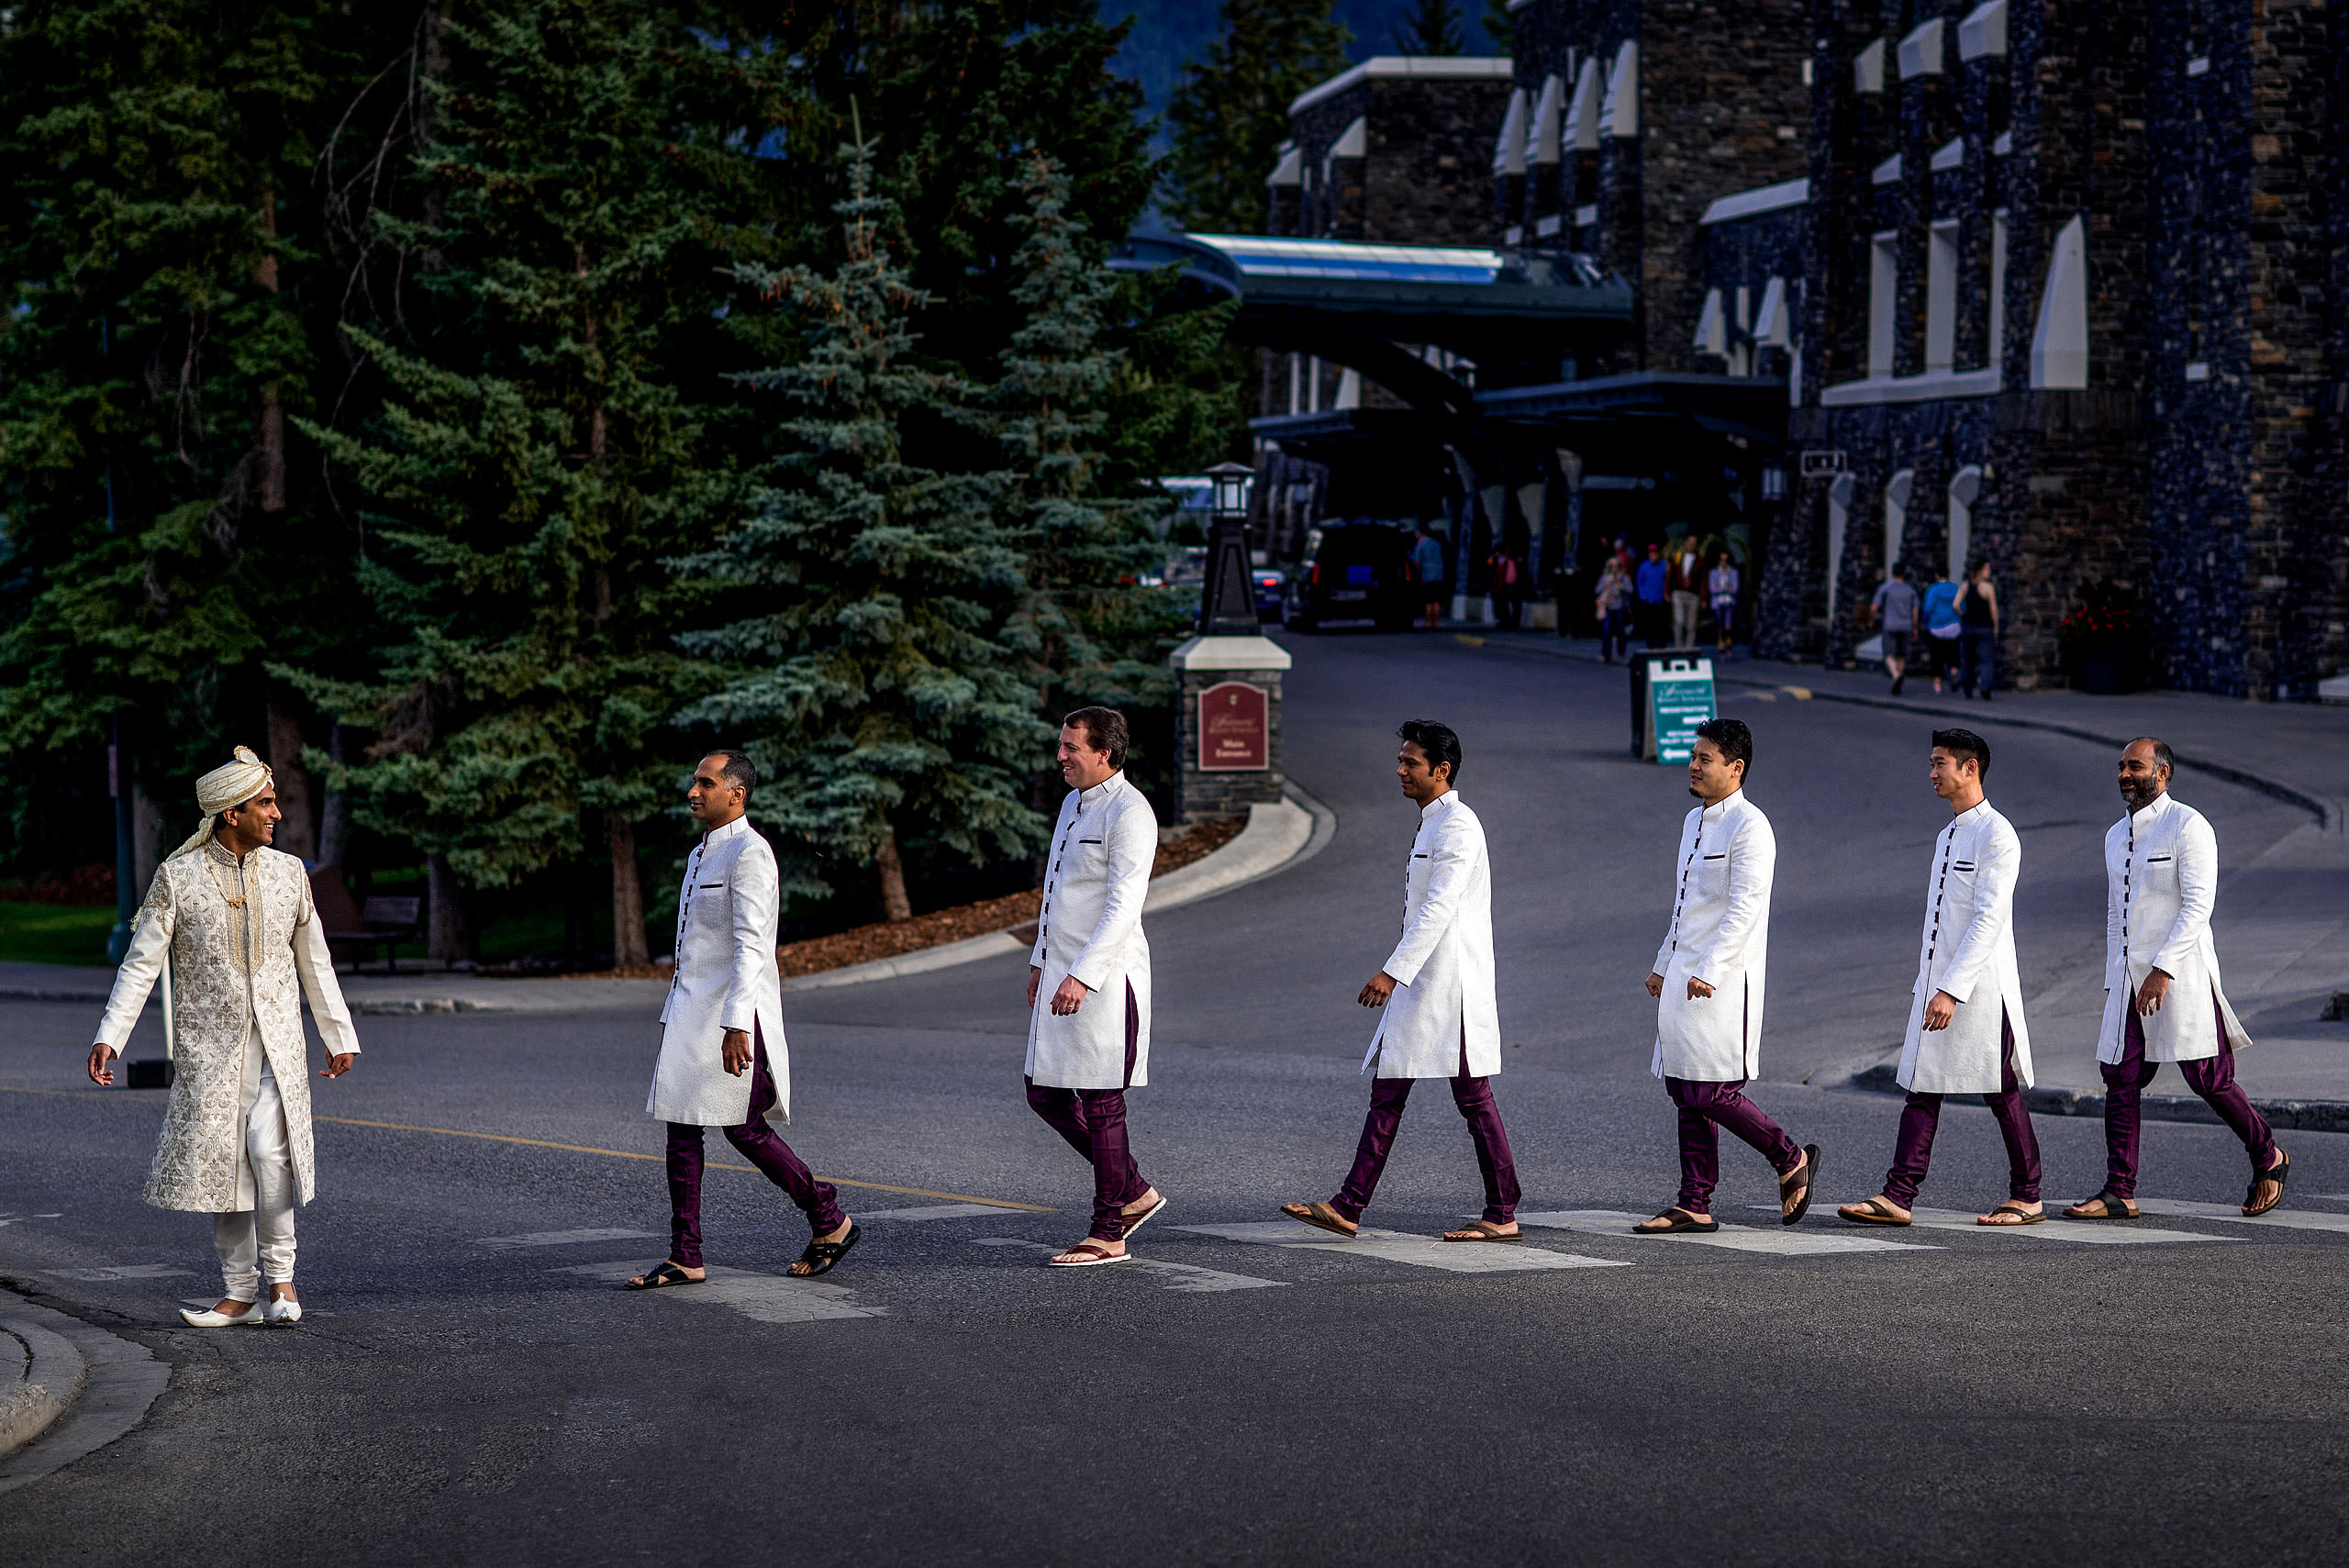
{"x":866,"y":661}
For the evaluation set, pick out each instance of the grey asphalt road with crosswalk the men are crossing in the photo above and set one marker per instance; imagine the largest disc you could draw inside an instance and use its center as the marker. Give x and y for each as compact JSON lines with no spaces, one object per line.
{"x":1946,"y":1395}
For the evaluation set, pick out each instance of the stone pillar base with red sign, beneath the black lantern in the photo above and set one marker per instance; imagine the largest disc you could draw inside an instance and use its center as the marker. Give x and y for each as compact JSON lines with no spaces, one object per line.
{"x":1227,"y":743}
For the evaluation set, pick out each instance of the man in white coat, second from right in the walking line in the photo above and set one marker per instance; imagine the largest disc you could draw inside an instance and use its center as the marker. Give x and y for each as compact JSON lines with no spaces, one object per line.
{"x":1967,"y":1032}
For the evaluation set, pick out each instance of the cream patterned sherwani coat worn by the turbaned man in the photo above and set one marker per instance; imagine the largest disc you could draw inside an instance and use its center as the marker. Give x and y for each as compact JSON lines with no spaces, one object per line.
{"x":215,"y":1006}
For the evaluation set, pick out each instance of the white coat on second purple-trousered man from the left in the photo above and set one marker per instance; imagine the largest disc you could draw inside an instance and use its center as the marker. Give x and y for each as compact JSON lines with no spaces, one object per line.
{"x":1091,"y":928}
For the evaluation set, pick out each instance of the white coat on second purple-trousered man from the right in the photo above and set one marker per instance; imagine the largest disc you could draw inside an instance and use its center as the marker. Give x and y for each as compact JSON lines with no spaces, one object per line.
{"x":1970,"y":952}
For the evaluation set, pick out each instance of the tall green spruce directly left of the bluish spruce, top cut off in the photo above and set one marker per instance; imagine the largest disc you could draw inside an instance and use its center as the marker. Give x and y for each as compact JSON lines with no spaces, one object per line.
{"x":537,"y":461}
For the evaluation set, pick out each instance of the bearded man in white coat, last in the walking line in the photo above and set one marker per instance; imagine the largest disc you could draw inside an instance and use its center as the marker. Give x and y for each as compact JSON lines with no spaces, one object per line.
{"x":2162,"y":987}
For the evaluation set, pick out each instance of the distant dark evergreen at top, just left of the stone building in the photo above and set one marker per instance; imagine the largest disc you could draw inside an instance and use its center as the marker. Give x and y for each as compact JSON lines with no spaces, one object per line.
{"x":1232,"y":109}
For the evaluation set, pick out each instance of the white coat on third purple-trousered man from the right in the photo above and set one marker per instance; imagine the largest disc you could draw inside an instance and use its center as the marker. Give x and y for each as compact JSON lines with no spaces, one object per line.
{"x":1721,"y":935}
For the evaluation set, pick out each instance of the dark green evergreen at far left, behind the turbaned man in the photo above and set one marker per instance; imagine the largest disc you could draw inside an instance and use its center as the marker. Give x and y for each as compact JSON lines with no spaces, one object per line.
{"x":159,"y":262}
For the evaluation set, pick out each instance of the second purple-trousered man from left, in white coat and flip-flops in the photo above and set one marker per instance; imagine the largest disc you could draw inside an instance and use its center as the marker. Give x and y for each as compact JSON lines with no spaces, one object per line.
{"x":1086,"y":1048}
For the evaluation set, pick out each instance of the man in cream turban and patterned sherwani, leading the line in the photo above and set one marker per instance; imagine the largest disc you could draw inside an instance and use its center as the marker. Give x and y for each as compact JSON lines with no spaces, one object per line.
{"x":245,"y":945}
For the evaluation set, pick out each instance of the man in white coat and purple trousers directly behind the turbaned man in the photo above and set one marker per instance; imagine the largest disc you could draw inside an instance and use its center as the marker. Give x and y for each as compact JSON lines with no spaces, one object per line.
{"x":725,"y":1060}
